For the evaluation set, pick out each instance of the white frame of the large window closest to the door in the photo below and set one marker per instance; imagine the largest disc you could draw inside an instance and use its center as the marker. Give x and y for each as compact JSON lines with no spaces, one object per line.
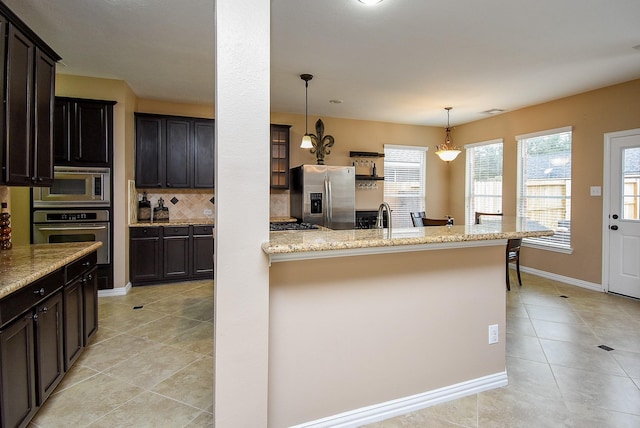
{"x":543,"y":243}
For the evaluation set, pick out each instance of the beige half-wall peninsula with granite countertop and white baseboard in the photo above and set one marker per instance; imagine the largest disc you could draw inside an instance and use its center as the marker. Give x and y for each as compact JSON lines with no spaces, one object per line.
{"x":367,"y":323}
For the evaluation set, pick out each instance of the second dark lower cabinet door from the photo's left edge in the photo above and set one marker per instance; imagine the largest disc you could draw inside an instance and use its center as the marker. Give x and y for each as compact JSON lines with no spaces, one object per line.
{"x":49,"y":346}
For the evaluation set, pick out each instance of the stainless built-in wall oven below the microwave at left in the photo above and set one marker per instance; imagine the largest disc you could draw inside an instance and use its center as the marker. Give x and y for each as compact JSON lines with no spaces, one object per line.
{"x":56,"y":226}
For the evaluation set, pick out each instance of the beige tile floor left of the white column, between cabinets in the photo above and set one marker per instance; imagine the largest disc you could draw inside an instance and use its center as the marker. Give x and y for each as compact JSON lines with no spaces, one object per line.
{"x":146,"y":367}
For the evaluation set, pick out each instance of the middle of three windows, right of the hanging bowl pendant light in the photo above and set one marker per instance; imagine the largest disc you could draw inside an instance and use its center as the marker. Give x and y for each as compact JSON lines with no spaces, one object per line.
{"x":484,"y":178}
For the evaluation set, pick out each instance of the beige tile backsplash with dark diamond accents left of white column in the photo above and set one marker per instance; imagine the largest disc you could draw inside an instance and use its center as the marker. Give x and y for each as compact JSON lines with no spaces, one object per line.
{"x":183,"y":204}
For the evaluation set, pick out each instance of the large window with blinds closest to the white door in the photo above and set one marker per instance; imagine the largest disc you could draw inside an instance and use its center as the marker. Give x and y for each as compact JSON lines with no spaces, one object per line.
{"x":544,"y":184}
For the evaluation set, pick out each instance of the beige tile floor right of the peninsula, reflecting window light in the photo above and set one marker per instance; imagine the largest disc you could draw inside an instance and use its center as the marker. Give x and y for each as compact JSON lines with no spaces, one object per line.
{"x":558,"y":377}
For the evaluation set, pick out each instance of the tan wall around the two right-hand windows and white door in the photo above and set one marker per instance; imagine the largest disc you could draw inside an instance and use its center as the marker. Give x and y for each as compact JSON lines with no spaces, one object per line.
{"x":591,"y":115}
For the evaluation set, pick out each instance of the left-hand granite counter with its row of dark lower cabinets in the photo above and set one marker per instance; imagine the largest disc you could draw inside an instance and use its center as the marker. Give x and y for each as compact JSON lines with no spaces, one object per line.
{"x":48,"y":314}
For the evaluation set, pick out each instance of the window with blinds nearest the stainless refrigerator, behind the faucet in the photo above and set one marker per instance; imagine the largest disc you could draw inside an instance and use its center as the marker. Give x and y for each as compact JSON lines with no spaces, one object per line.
{"x":404,"y":181}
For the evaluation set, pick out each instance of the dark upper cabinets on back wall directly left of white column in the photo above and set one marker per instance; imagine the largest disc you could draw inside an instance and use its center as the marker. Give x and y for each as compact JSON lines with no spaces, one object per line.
{"x":174,"y":152}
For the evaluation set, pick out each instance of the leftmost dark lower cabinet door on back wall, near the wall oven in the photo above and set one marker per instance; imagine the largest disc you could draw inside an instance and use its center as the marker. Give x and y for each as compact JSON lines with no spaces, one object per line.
{"x":145,"y":263}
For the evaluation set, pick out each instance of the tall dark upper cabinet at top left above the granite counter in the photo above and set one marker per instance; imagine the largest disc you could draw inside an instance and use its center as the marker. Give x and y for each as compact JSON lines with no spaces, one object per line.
{"x":26,"y":116}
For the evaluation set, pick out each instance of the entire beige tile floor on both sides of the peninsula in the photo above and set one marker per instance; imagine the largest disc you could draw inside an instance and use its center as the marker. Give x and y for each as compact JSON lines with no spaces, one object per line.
{"x":152,"y":367}
